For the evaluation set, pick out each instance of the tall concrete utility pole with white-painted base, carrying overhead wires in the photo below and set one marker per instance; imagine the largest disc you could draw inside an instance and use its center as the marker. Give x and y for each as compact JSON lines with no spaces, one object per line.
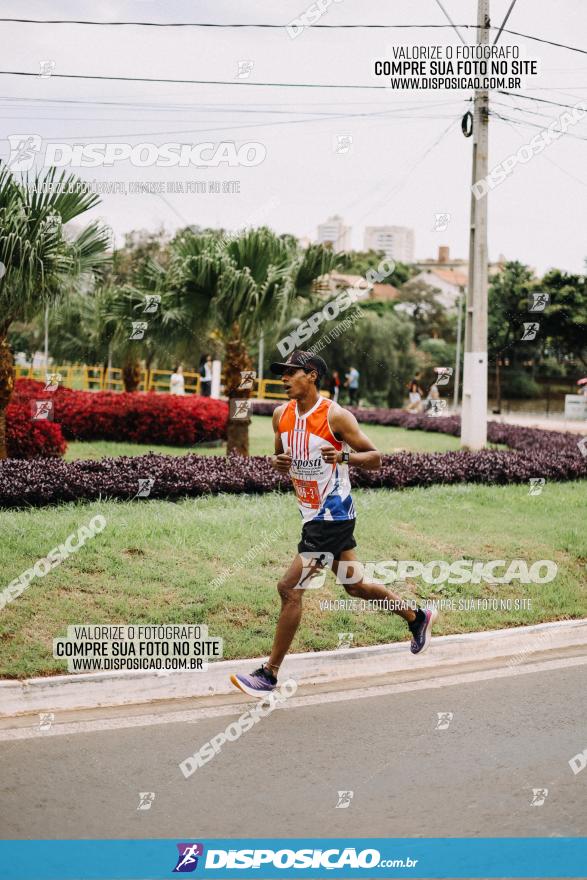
{"x":474,"y":406}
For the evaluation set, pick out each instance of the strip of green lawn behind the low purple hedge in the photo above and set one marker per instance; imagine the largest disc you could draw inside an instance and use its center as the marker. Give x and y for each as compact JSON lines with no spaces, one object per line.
{"x":386,"y":439}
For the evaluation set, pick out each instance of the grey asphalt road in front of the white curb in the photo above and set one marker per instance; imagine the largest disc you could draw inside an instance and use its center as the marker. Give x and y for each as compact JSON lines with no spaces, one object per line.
{"x":507,"y":737}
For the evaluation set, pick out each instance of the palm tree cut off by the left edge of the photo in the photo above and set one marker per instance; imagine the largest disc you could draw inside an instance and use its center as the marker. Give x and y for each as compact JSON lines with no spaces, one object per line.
{"x":38,"y":261}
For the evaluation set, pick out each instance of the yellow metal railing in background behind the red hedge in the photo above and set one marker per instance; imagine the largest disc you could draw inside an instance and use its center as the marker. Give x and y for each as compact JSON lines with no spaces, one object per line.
{"x":96,"y":378}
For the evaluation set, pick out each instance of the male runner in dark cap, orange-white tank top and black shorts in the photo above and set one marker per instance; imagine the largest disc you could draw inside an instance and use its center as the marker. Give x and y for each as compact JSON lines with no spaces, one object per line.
{"x":315,"y":441}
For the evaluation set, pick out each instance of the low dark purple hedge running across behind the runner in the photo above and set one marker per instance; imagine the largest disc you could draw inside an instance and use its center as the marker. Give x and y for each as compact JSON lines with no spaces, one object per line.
{"x":532,"y":453}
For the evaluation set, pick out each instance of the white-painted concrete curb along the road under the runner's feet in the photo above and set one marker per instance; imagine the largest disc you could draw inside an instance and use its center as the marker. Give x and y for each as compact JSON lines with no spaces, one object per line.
{"x":446,"y":654}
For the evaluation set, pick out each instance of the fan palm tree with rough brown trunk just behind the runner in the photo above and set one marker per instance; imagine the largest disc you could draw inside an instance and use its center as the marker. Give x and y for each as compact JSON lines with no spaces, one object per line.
{"x":239,"y":287}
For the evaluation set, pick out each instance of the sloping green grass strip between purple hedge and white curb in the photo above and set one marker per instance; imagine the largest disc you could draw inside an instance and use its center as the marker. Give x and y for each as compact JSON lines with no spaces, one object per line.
{"x":155,"y":560}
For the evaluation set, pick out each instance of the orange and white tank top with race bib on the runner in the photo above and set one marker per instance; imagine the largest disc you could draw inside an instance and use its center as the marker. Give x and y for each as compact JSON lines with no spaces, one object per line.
{"x":323,"y":490}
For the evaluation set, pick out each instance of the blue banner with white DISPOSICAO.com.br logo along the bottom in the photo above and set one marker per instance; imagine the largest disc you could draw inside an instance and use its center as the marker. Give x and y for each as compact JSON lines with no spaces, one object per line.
{"x":505,"y":857}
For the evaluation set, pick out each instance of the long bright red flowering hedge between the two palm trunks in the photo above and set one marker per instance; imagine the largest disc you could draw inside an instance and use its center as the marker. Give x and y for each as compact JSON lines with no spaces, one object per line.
{"x":138,"y":417}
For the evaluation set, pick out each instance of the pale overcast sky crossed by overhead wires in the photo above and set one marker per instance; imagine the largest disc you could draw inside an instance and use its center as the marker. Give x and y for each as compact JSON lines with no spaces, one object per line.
{"x":403,"y":165}
